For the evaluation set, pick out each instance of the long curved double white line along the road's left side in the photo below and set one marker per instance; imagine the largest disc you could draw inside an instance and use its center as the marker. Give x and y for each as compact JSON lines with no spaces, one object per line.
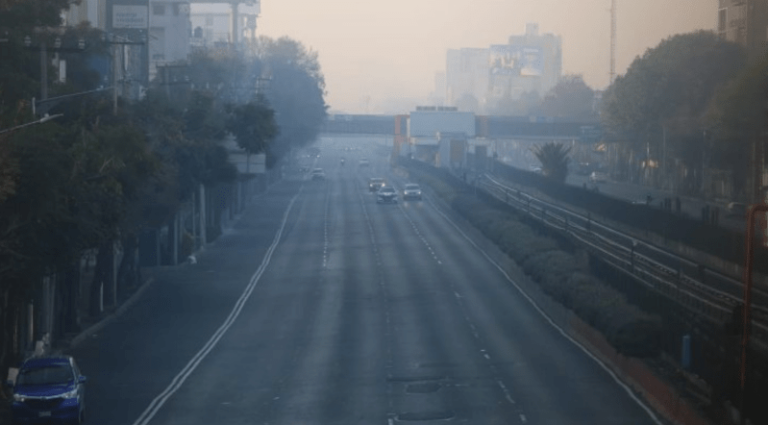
{"x":179,"y":379}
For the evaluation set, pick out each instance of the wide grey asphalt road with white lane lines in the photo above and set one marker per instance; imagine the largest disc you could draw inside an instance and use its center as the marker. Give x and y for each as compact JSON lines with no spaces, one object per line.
{"x":323,"y":307}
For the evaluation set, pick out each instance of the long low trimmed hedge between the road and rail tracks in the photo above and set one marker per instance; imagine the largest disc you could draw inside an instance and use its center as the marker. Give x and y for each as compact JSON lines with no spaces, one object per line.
{"x":631,"y":331}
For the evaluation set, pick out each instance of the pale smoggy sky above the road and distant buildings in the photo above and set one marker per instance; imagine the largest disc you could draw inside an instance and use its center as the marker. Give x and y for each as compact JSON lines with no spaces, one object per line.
{"x":373,"y":52}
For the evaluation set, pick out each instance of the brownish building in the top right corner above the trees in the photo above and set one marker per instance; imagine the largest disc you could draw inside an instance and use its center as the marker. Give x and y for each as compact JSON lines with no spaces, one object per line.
{"x":745,"y":22}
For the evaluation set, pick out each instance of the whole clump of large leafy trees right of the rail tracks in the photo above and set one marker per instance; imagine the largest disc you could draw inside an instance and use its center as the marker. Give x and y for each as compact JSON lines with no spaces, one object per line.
{"x":689,"y":104}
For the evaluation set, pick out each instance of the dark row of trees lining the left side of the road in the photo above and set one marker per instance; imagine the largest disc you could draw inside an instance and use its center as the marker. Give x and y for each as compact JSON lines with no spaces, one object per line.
{"x":92,"y":177}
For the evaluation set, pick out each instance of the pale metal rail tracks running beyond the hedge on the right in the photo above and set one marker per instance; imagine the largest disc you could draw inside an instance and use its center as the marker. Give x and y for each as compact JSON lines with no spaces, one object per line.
{"x":702,"y":291}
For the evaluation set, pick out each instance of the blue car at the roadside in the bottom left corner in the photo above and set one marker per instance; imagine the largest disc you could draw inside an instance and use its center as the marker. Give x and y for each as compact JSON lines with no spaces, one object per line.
{"x":49,"y":390}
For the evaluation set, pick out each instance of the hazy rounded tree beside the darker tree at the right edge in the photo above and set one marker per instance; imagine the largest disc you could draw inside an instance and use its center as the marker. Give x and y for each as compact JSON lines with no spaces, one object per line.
{"x":658,"y":106}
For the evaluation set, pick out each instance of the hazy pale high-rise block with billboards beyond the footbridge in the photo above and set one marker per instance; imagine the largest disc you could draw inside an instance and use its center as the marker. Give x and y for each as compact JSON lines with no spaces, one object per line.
{"x":531,"y":62}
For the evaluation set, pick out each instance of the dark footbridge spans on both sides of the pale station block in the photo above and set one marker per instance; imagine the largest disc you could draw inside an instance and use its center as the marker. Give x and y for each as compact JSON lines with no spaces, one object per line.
{"x":492,"y":127}
